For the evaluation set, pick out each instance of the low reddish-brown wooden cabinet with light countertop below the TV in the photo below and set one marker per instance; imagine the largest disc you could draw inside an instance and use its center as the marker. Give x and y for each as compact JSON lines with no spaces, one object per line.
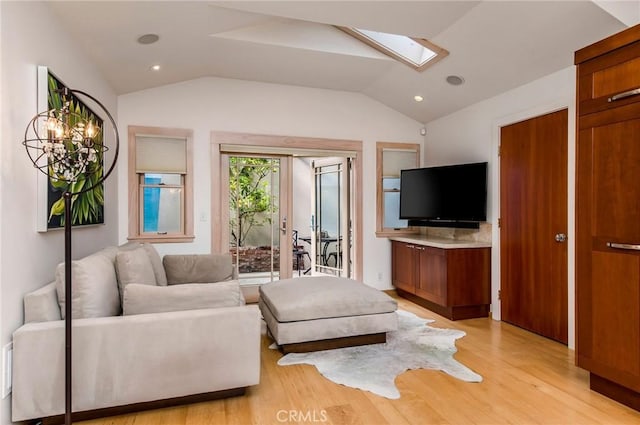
{"x":449,"y":277}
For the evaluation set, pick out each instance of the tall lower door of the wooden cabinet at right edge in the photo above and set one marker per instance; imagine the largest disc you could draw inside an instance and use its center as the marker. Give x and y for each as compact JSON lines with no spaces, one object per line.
{"x":608,"y":216}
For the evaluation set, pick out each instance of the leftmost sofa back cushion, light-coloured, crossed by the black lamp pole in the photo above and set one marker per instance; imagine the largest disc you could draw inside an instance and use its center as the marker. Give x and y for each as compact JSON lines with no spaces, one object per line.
{"x":94,"y":286}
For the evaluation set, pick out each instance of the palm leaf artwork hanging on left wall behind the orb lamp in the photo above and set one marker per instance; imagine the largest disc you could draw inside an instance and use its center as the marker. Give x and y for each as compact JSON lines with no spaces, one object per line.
{"x":87,"y":208}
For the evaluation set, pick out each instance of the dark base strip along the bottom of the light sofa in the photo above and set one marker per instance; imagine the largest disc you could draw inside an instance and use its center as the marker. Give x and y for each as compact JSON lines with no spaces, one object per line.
{"x":138,"y":407}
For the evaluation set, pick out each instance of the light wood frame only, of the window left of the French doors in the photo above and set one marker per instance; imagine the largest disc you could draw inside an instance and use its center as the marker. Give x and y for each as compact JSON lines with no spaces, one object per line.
{"x":136,"y":182}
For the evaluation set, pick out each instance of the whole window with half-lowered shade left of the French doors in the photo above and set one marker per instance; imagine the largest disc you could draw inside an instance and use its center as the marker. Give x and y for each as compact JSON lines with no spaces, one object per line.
{"x":160,"y":184}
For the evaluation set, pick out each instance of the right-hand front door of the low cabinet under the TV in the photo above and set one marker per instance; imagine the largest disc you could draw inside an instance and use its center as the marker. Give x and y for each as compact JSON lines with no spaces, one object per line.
{"x":432,"y":274}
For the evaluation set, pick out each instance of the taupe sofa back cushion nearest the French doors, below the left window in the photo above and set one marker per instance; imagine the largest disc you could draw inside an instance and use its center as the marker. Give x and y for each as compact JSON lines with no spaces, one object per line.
{"x":198,"y":268}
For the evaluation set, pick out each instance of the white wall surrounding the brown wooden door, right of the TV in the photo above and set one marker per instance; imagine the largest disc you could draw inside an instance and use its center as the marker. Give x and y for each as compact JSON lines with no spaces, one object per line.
{"x":472,"y":134}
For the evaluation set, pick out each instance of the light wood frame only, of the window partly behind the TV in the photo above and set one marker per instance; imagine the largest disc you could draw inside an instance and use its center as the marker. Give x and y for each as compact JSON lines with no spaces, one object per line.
{"x":382,"y":231}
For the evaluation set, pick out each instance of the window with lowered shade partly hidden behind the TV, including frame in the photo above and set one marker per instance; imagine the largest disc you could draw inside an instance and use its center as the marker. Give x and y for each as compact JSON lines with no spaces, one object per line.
{"x":391,"y":158}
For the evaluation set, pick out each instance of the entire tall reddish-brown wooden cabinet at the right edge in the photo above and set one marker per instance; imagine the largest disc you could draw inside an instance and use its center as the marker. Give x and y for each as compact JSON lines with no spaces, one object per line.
{"x":608,"y":215}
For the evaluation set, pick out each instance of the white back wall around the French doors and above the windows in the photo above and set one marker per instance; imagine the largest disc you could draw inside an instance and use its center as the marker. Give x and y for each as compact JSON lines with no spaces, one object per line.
{"x":209,"y":104}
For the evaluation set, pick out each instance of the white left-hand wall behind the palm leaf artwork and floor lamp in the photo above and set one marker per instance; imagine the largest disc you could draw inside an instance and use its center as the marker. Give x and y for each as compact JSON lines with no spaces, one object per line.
{"x":30,"y":37}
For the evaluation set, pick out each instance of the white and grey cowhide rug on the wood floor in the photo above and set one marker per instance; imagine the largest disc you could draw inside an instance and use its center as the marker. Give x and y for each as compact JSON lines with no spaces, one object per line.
{"x":374,"y":367}
